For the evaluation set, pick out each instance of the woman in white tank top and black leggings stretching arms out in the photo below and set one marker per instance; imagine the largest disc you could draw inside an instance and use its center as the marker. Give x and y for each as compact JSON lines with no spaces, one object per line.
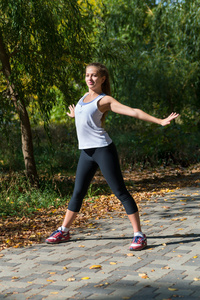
{"x":98,"y":150}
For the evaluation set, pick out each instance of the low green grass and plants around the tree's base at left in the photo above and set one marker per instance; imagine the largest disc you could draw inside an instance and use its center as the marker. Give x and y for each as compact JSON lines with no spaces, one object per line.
{"x":19,"y":198}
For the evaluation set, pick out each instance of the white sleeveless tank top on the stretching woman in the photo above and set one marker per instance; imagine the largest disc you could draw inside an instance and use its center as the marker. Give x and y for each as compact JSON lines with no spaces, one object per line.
{"x":89,"y":130}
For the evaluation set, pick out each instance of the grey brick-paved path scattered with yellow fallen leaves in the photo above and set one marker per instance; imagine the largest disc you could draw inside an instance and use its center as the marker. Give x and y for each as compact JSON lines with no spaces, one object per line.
{"x":168,"y":269}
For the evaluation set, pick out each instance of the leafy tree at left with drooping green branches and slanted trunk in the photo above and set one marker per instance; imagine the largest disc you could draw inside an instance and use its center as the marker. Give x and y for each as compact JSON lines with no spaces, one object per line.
{"x":43,"y":44}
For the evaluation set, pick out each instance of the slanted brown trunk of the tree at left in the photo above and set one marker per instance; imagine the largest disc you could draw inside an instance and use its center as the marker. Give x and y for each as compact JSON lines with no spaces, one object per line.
{"x":26,"y":134}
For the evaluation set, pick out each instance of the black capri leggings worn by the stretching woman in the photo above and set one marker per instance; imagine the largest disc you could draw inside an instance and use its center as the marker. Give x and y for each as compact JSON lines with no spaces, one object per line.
{"x":106,"y":158}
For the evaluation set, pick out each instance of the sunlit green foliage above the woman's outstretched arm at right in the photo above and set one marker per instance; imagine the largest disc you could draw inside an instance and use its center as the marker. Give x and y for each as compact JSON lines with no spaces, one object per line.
{"x":152,"y":53}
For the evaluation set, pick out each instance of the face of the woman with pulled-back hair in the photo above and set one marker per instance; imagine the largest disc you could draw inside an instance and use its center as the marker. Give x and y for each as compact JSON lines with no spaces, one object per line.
{"x":93,"y":78}
